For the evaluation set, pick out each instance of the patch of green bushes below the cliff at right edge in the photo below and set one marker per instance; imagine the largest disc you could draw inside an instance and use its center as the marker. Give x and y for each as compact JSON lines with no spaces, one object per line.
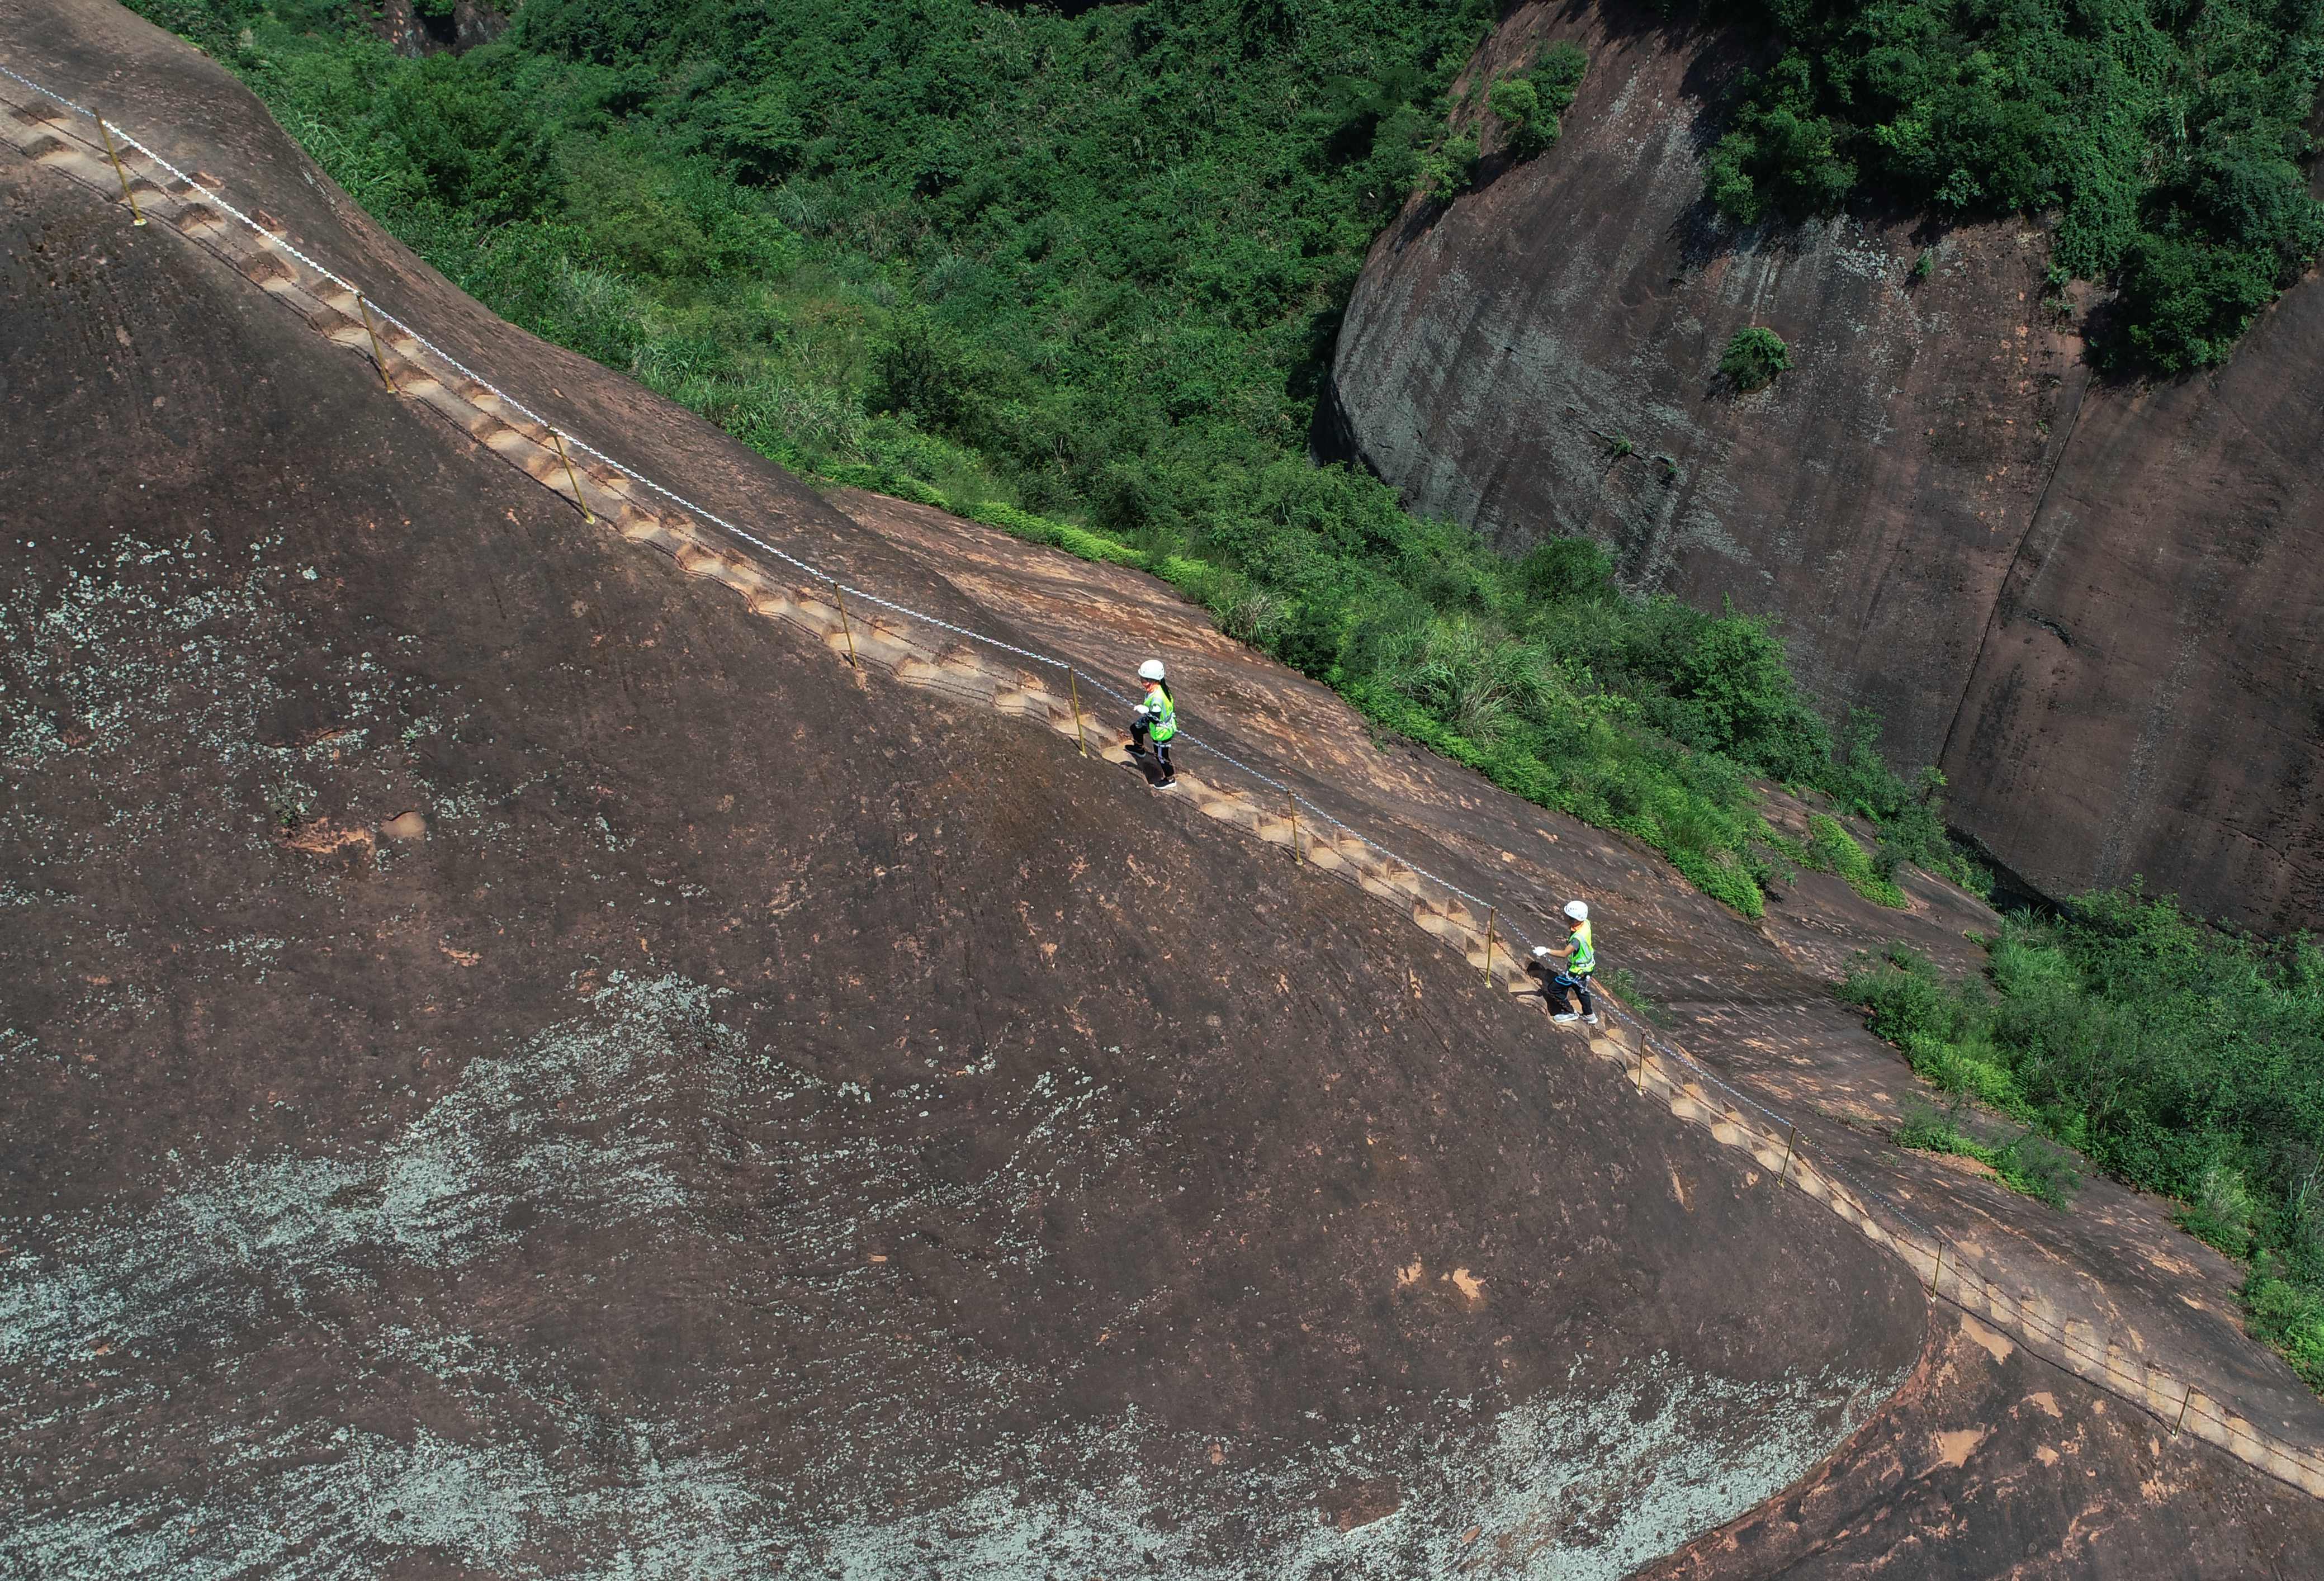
{"x":2176,"y":1059}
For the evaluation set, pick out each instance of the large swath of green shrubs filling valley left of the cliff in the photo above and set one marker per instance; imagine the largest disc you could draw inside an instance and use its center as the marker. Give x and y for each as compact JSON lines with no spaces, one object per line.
{"x":1077,"y":276}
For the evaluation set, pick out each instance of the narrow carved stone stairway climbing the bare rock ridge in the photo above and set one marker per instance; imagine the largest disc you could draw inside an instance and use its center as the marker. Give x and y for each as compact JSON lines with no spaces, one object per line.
{"x":921,"y":652}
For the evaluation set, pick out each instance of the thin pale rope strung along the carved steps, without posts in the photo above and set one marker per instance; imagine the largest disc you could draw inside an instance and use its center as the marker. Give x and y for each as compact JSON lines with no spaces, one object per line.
{"x":1807,"y":1152}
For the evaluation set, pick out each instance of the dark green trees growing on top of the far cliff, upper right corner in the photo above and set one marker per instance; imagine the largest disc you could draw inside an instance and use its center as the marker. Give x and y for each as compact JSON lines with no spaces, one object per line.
{"x":2167,"y":136}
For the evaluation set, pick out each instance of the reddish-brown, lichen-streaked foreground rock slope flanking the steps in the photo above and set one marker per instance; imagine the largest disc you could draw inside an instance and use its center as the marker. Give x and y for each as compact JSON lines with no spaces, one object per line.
{"x":515,"y":1066}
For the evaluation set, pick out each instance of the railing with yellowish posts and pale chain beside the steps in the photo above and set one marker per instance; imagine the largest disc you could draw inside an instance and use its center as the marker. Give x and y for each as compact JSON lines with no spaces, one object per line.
{"x":2290,"y":1464}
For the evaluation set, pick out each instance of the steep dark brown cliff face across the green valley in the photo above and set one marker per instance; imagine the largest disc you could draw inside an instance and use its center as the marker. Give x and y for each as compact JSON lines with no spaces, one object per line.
{"x":2095,"y":608}
